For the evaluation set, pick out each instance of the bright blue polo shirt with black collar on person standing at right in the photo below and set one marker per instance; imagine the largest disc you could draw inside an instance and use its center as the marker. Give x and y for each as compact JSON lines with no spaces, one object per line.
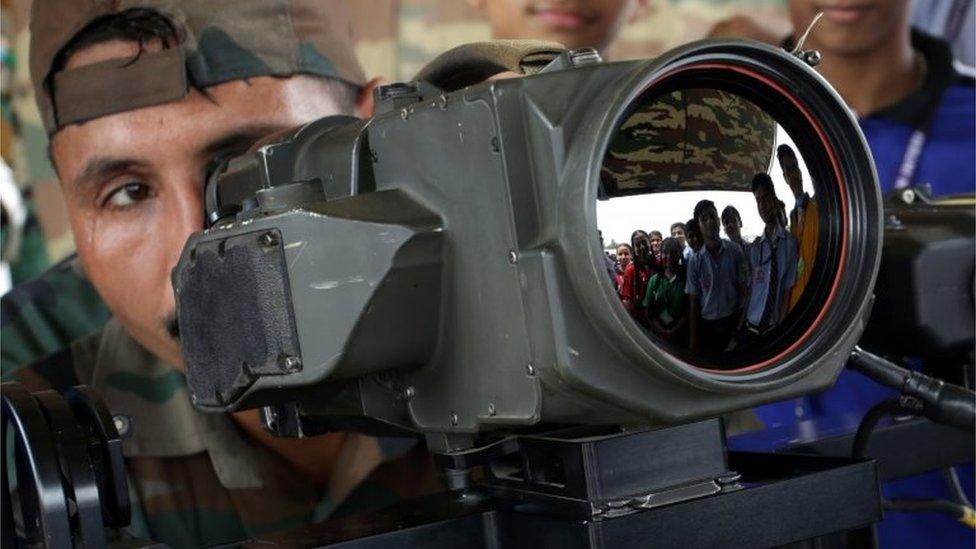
{"x":945,"y":108}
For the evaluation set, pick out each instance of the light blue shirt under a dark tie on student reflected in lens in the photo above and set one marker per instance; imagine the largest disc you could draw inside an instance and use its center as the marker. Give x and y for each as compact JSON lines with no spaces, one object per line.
{"x":760,"y":254}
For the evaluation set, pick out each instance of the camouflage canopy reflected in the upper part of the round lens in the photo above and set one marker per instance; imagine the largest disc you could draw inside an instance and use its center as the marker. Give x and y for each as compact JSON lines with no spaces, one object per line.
{"x":694,"y":139}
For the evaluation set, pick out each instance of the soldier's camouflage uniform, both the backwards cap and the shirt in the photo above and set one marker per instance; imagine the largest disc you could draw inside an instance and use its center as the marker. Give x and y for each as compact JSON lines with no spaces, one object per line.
{"x":195,"y":479}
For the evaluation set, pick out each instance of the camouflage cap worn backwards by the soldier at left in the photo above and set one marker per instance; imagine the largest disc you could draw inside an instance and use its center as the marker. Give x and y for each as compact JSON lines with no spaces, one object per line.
{"x":221,"y":40}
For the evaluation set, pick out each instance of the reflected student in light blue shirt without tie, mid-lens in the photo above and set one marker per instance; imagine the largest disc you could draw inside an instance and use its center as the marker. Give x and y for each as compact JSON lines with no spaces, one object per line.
{"x":716,"y":285}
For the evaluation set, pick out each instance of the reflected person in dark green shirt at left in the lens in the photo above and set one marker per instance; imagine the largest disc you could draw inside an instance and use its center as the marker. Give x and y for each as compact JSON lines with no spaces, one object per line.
{"x":665,"y":302}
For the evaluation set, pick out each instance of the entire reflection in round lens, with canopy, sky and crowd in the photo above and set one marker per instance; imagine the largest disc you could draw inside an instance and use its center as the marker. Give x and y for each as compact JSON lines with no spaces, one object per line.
{"x":720,"y":177}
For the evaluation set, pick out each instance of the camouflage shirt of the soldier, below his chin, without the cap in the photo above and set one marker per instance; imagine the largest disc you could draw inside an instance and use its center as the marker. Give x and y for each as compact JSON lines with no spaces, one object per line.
{"x":198,"y":479}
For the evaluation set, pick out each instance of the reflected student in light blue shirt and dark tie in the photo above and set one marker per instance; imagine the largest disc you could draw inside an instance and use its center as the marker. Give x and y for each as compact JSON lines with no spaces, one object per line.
{"x":772,"y":260}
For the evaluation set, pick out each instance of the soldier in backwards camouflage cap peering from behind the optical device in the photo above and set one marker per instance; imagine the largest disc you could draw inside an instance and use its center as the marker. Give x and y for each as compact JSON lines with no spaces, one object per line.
{"x":138,"y":102}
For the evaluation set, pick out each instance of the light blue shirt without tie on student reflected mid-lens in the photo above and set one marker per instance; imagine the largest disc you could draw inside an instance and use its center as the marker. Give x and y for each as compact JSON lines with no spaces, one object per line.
{"x":715,"y":279}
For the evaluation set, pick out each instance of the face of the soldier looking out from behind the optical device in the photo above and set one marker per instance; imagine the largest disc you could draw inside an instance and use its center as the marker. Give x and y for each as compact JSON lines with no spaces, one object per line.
{"x":133,"y":184}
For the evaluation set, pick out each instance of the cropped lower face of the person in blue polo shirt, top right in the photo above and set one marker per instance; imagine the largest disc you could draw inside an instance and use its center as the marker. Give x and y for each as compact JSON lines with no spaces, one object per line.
{"x":850,"y":27}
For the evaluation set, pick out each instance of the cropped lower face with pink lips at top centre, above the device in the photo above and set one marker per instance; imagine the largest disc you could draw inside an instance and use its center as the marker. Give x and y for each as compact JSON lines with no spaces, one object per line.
{"x":573,"y":23}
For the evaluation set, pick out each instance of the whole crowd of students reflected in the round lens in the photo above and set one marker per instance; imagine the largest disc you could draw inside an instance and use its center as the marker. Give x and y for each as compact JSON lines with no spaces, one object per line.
{"x":711,"y":292}
